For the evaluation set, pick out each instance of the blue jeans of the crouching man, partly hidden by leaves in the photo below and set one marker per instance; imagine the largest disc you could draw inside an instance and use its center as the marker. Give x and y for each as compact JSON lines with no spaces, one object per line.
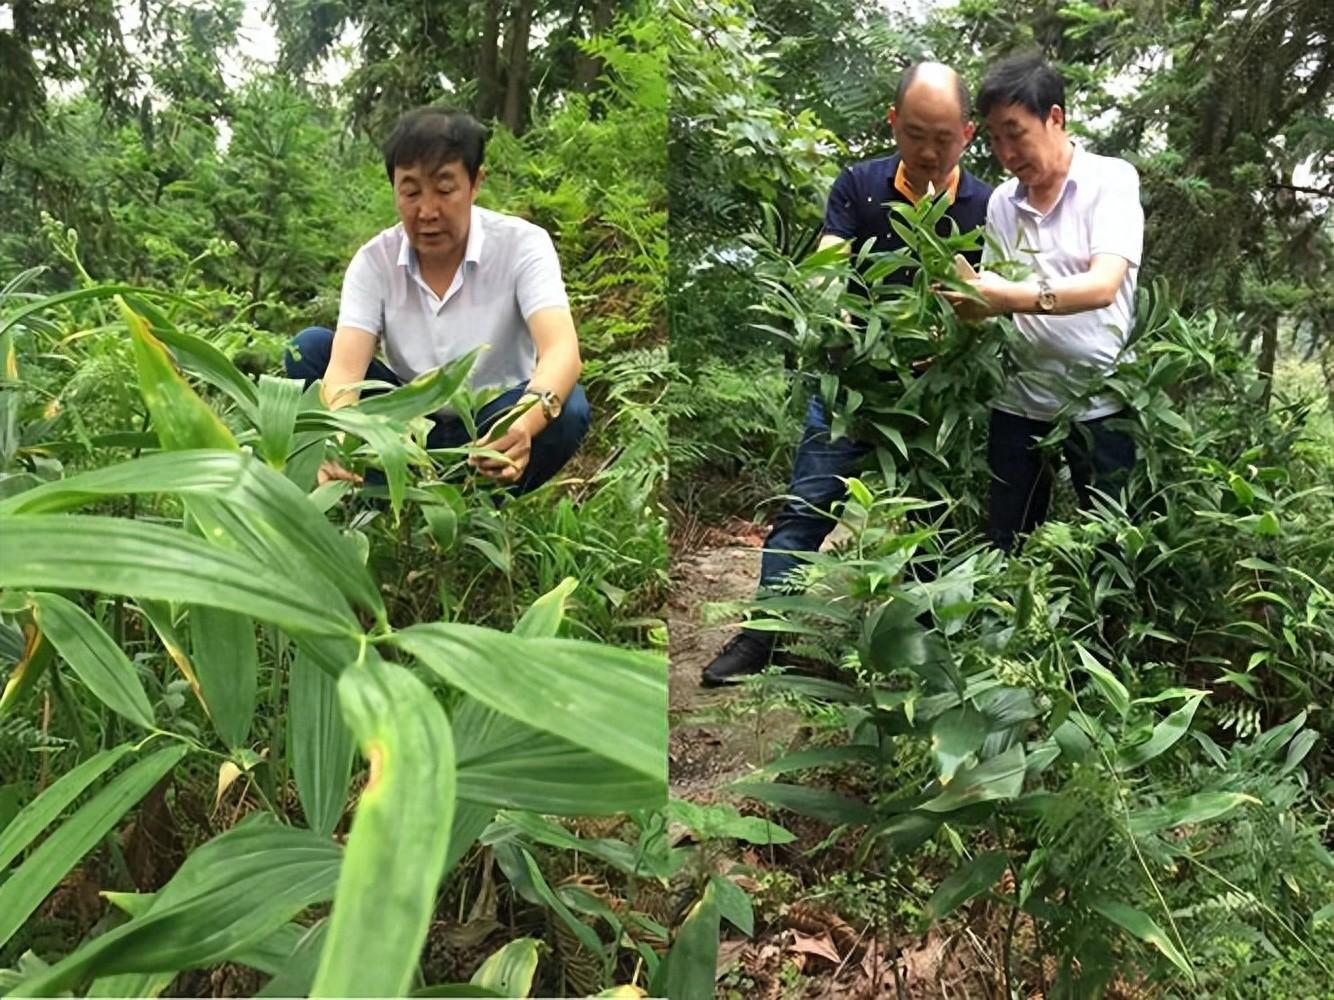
{"x":309,"y":357}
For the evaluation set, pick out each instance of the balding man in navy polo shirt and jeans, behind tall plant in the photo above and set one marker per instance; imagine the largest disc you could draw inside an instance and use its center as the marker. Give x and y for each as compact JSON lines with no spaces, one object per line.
{"x":932,"y":121}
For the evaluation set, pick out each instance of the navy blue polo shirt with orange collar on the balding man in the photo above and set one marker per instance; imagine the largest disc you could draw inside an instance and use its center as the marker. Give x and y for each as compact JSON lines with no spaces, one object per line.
{"x":858,"y":210}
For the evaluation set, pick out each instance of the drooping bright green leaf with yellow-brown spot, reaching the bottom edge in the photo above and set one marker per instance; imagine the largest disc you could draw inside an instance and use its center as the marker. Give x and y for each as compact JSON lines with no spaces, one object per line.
{"x":400,"y":838}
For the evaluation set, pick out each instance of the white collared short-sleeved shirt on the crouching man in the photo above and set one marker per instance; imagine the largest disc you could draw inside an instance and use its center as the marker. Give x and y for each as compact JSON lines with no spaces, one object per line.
{"x":510,"y":270}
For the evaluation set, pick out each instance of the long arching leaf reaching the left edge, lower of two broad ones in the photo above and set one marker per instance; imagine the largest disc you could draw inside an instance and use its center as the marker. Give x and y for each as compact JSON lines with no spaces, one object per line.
{"x":149,"y":561}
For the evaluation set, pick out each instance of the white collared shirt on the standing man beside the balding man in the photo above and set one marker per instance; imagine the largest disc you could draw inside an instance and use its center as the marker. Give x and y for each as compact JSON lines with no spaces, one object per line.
{"x":1097,"y":211}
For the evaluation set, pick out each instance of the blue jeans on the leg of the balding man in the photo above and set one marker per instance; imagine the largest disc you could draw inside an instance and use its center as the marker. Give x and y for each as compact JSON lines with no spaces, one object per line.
{"x":805,"y":522}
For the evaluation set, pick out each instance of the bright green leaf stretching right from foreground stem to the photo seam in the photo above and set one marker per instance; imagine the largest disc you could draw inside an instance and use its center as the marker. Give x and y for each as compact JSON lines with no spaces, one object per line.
{"x":608,"y":701}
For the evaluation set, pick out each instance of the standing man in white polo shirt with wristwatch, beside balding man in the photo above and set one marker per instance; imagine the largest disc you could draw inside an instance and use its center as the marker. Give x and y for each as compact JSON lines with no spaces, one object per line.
{"x":1076,"y":219}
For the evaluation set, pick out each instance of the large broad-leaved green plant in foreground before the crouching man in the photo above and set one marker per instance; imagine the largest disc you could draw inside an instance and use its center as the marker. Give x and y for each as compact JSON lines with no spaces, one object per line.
{"x":453,"y":719}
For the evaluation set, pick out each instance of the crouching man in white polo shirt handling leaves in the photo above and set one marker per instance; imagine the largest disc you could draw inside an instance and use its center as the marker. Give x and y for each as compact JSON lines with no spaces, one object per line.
{"x":448,"y":279}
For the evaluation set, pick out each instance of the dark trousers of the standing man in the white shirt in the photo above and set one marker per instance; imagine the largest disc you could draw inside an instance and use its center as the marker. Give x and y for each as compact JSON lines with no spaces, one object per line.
{"x":1100,"y":459}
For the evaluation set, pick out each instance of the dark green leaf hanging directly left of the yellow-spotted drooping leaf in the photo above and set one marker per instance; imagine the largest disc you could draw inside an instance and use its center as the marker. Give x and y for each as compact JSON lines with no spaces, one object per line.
{"x":319,"y":745}
